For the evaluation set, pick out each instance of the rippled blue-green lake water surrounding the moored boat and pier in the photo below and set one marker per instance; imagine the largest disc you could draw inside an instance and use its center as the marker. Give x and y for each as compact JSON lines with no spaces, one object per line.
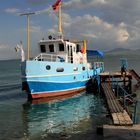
{"x":64,"y":118}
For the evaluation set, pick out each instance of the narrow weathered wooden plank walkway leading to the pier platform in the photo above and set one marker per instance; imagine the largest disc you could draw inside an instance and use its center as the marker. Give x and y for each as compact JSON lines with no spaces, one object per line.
{"x":119,"y":115}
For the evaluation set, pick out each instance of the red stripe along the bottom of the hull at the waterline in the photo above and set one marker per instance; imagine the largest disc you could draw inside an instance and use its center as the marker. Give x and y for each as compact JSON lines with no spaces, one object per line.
{"x":53,"y":94}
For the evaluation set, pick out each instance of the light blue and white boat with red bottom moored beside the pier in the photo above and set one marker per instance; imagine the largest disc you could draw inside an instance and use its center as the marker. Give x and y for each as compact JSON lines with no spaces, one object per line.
{"x":60,"y":68}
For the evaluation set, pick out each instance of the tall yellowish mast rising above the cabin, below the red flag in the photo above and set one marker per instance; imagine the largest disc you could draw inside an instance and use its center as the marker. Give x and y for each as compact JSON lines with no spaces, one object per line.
{"x":60,"y":22}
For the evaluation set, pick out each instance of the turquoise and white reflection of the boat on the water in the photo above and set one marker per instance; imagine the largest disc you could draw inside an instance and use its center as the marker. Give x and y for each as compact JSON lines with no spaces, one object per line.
{"x":69,"y":115}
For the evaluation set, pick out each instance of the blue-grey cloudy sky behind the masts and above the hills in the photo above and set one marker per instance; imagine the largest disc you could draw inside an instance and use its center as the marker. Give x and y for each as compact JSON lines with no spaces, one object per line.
{"x":106,"y":24}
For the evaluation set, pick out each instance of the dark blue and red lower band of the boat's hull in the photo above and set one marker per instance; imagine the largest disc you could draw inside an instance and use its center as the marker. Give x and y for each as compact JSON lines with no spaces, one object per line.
{"x":49,"y":89}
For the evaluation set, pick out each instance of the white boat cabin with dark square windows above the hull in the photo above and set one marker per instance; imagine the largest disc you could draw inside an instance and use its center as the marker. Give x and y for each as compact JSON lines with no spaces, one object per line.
{"x":61,"y":51}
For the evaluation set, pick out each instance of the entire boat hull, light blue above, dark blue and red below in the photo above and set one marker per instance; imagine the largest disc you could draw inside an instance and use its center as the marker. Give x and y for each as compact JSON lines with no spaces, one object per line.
{"x":38,"y":84}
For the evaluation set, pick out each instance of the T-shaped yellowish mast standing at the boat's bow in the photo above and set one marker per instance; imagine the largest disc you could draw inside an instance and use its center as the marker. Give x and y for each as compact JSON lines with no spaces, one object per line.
{"x":28,"y":32}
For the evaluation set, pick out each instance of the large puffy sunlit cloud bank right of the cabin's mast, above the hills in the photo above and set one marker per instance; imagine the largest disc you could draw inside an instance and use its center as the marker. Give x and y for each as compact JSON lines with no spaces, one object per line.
{"x":94,"y":29}
